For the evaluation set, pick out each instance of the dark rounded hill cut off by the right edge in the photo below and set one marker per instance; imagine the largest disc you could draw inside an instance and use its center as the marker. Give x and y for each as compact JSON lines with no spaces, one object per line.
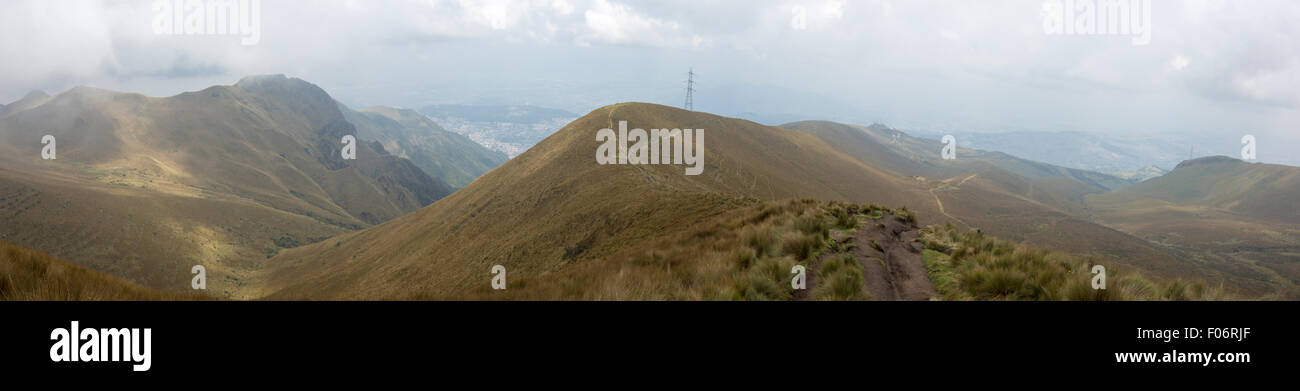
{"x":1234,"y":216}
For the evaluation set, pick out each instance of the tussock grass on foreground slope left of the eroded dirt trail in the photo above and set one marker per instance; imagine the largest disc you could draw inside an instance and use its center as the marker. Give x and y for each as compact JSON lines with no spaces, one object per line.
{"x":742,"y":255}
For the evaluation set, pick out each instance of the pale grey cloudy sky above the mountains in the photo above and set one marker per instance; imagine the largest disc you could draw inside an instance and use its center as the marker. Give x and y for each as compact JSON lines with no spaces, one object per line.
{"x":1216,"y":69}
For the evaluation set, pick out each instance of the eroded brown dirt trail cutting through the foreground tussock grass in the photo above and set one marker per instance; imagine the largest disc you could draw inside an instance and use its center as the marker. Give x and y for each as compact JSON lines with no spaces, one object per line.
{"x":894,"y":268}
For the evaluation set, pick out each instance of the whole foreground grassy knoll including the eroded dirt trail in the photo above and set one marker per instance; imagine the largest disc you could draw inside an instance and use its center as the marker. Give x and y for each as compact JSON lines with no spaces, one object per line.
{"x":851,"y":253}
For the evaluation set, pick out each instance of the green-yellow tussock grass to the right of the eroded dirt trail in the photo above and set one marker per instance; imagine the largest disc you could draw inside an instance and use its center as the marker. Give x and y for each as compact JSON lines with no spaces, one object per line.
{"x":982,"y":268}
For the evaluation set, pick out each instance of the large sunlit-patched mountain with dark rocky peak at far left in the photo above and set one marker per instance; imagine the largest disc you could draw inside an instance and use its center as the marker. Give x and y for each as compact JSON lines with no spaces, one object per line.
{"x":146,"y":188}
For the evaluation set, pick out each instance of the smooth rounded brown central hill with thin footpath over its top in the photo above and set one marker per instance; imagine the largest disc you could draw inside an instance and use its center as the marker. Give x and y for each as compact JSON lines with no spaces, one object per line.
{"x":554,"y":206}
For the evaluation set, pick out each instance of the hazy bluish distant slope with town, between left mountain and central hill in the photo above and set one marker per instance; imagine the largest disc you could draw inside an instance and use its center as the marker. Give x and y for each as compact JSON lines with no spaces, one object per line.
{"x":508,"y":129}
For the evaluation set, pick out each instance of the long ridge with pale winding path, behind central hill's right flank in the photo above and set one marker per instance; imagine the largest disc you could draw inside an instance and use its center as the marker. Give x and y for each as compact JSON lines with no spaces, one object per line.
{"x":1015,"y":199}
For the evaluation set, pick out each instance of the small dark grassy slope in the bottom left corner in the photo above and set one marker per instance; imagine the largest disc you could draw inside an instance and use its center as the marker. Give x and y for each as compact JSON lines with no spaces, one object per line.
{"x":28,"y":275}
